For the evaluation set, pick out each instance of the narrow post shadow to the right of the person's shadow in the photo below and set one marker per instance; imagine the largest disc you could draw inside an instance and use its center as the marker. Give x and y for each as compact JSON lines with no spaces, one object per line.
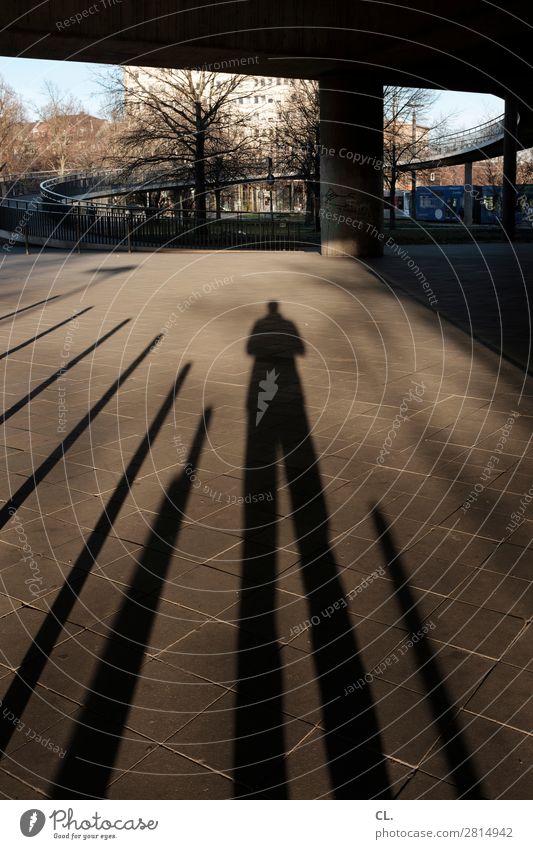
{"x":463,"y":770}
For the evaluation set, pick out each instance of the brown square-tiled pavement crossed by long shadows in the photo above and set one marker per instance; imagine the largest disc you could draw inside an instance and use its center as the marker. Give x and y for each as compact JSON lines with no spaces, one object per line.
{"x":346,"y":630}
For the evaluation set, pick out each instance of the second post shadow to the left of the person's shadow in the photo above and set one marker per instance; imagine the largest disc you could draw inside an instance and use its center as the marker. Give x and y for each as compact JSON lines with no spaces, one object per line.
{"x":35,"y":659}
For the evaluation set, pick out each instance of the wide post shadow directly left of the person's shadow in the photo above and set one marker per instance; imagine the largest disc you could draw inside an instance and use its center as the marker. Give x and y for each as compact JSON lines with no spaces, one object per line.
{"x":93,"y":747}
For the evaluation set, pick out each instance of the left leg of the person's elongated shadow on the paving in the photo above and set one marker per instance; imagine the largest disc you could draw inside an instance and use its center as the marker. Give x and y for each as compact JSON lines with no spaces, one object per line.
{"x":259,"y":731}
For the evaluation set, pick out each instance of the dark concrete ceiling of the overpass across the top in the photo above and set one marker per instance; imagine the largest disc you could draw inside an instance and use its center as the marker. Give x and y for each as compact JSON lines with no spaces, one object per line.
{"x":456,"y":45}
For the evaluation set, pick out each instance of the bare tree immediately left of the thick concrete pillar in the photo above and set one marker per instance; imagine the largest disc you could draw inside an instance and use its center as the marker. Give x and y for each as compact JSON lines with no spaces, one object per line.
{"x":298,"y":140}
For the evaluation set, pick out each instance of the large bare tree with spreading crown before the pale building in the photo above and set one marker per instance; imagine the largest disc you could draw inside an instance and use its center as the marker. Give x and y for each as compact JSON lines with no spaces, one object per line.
{"x":183,"y":124}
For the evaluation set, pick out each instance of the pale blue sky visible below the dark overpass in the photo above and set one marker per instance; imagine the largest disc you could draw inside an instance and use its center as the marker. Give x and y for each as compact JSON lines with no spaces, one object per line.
{"x":27,"y":76}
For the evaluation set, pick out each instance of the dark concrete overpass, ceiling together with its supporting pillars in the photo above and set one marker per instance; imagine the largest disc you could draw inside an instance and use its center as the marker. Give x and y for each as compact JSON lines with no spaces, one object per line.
{"x":353,"y":49}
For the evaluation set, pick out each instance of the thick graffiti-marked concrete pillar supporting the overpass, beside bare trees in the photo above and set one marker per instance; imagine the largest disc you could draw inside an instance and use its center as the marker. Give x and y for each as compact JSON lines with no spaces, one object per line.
{"x":351,"y":163}
